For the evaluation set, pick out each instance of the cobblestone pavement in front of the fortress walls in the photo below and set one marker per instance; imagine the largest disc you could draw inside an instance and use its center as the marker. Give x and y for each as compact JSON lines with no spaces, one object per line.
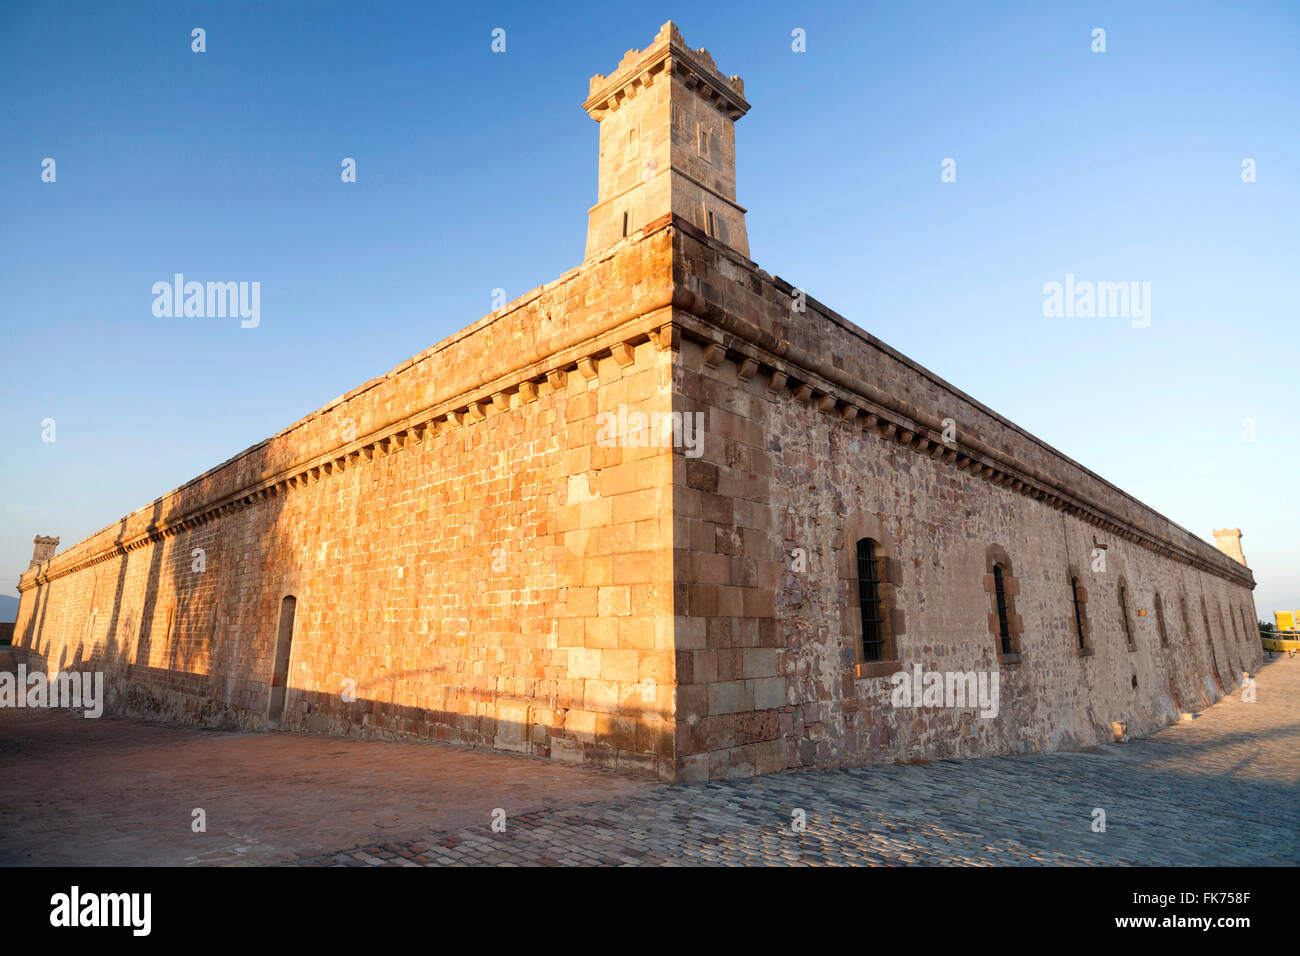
{"x":1223,"y":789}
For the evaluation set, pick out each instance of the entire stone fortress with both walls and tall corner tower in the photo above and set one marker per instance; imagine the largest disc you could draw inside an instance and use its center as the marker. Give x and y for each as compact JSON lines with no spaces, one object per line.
{"x":467,"y":550}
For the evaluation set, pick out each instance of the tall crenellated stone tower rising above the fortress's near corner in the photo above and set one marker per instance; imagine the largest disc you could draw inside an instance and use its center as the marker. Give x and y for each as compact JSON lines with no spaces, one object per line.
{"x":668,"y":144}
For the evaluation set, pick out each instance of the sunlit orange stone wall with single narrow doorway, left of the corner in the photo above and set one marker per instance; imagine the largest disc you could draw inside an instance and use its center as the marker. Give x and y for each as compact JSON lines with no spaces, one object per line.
{"x":466,"y":560}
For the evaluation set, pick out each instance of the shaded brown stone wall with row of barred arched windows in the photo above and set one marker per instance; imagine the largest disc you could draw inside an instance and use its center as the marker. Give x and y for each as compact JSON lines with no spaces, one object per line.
{"x":798,"y":465}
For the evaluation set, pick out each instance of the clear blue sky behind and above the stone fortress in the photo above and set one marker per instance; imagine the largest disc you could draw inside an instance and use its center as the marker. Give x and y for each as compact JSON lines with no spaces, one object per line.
{"x":475,"y":171}
